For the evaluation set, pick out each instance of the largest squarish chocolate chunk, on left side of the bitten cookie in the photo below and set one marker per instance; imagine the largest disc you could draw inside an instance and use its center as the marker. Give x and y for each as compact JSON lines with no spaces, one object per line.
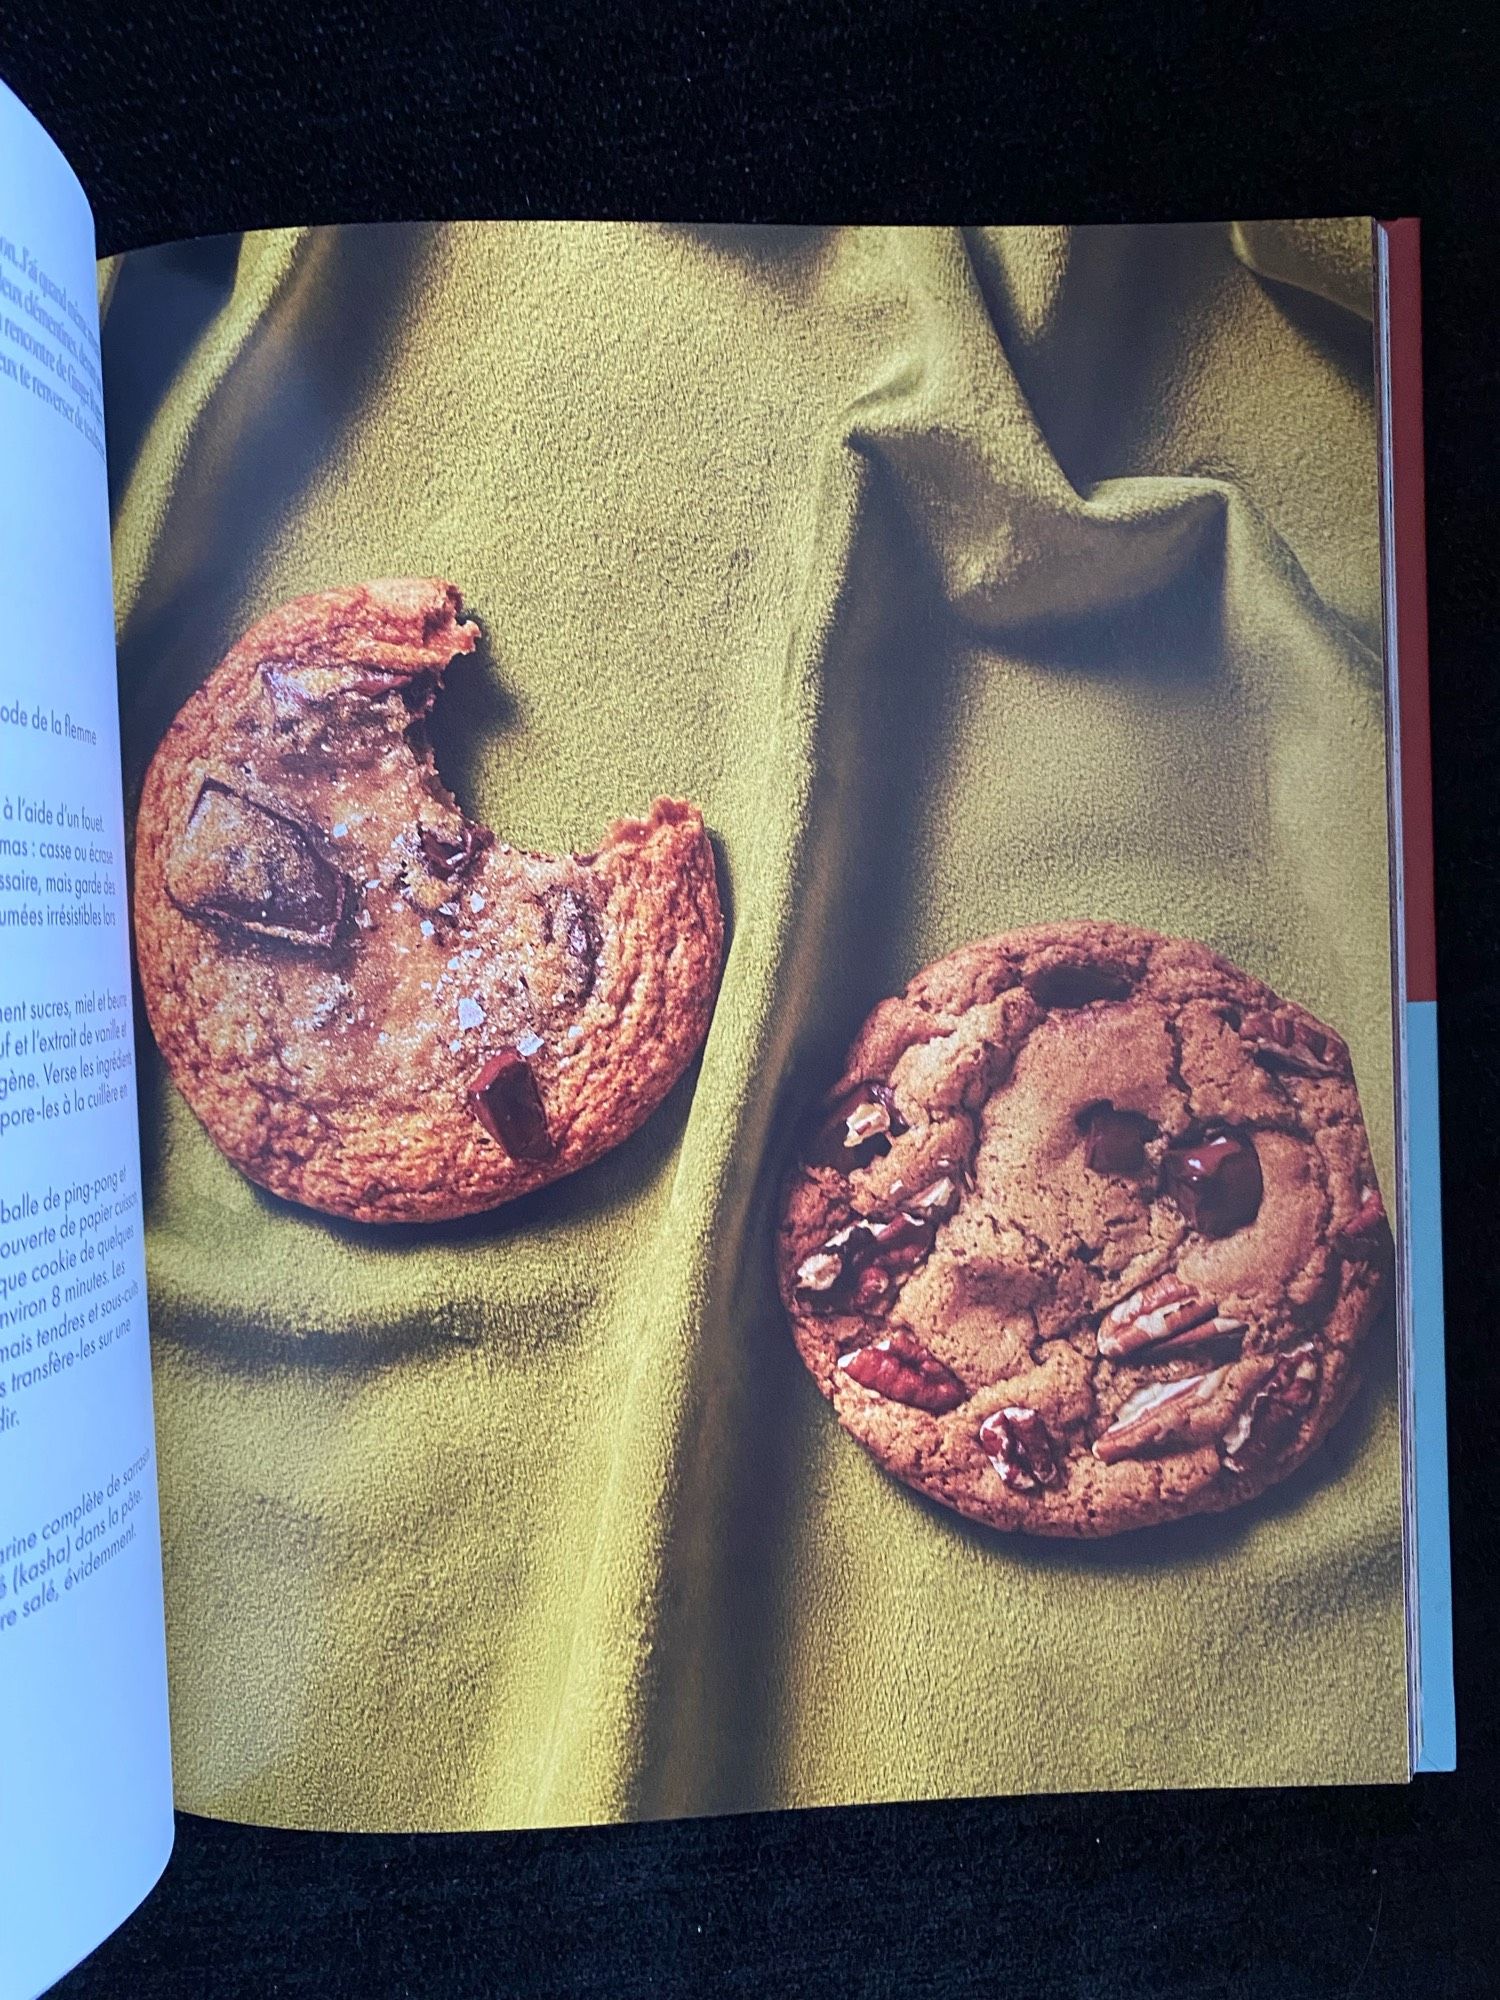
{"x":253,"y":869}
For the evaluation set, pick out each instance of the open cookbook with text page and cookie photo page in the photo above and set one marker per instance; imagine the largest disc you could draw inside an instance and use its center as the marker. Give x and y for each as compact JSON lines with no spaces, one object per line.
{"x":717,"y":965}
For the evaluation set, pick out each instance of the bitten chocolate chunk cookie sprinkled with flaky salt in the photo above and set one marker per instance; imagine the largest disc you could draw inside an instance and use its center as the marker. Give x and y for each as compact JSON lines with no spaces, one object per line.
{"x":375,"y":1005}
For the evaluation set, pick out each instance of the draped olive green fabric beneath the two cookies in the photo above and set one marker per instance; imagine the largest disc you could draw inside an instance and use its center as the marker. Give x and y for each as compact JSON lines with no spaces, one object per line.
{"x":965,"y":581}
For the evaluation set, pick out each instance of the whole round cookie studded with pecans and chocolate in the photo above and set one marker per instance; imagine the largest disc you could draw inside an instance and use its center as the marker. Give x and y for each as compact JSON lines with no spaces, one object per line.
{"x":1087,"y":1235}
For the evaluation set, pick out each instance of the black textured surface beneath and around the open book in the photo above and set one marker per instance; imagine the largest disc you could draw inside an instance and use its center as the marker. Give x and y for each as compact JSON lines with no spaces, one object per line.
{"x":189,"y":121}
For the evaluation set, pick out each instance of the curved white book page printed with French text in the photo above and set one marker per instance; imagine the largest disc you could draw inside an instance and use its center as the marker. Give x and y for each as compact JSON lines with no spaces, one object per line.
{"x":85,"y":1769}
